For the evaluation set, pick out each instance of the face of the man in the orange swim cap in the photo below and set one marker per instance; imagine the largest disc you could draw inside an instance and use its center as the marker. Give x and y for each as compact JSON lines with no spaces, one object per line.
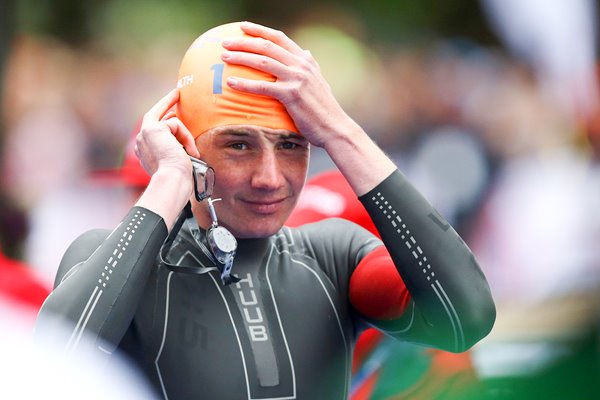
{"x":259,"y":175}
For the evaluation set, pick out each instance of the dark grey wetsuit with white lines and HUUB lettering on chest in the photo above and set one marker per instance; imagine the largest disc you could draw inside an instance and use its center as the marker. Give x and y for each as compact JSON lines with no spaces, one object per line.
{"x":287,"y":329}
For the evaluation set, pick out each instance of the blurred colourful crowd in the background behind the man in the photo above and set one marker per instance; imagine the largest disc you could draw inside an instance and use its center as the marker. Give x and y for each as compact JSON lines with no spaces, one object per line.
{"x":490,"y":107}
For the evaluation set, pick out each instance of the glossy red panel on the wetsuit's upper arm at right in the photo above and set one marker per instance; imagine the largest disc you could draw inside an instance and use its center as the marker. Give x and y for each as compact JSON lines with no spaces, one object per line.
{"x":376,"y":288}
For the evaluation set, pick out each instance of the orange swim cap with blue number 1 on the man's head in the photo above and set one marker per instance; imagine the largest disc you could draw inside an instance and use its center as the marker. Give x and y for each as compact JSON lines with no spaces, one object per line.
{"x":206,"y":101}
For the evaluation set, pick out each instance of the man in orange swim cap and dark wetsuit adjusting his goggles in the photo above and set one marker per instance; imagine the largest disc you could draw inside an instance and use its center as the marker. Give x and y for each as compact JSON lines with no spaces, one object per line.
{"x":250,"y":101}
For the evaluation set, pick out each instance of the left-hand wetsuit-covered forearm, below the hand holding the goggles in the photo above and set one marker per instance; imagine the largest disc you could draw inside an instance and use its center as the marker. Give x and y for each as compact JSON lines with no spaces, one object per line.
{"x":99,"y":299}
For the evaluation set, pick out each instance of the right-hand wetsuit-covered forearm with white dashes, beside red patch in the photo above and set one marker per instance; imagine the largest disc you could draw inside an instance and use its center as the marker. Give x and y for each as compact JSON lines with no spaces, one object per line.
{"x":440,"y":272}
